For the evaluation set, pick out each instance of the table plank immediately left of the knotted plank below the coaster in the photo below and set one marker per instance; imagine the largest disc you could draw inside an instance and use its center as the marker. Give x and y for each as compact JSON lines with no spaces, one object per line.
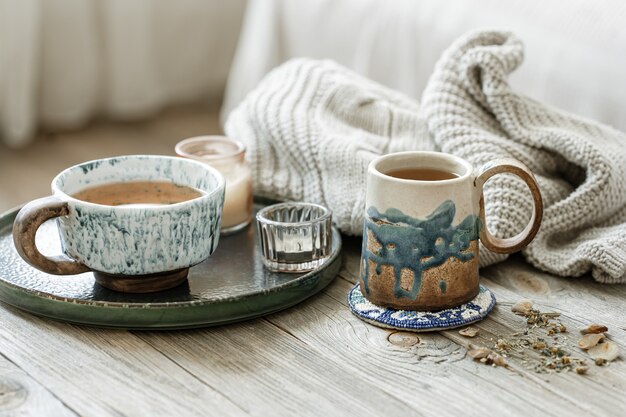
{"x":268,"y":372}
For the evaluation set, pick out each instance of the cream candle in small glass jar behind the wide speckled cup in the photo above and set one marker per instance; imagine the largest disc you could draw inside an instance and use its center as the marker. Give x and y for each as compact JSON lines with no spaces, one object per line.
{"x":227,"y":156}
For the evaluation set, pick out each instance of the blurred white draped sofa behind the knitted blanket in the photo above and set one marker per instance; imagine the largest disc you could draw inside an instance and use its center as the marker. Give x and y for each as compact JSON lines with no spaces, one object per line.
{"x":575,"y":49}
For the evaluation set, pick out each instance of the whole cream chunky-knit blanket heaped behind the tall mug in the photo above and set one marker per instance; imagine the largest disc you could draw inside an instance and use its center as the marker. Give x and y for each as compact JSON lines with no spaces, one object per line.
{"x":312,"y":127}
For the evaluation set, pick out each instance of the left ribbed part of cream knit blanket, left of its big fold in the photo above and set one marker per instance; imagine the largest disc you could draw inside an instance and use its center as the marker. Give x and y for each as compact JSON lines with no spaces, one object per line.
{"x":312,"y":127}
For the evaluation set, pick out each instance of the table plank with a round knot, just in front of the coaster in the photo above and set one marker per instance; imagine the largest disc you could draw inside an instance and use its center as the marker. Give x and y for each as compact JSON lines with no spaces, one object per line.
{"x":427,"y":370}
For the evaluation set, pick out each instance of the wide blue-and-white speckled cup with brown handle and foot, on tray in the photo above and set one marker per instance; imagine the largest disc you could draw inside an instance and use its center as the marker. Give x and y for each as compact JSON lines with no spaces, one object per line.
{"x":129,"y":248}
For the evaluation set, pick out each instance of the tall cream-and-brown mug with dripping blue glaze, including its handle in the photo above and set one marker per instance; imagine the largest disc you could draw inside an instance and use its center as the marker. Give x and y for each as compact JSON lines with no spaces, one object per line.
{"x":420,"y":236}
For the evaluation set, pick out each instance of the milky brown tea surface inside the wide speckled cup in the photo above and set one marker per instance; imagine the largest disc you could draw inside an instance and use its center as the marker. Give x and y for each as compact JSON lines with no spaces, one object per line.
{"x":138,"y":193}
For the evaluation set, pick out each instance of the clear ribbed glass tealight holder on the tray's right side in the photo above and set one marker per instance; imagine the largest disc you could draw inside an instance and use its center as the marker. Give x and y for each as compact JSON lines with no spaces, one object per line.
{"x":295,"y":237}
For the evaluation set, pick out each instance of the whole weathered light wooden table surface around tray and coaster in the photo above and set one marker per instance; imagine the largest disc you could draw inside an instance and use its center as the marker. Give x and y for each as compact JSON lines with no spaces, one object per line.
{"x":315,"y":359}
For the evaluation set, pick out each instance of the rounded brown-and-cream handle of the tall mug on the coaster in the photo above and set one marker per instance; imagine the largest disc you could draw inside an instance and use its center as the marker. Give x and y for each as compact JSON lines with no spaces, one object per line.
{"x":519,"y":241}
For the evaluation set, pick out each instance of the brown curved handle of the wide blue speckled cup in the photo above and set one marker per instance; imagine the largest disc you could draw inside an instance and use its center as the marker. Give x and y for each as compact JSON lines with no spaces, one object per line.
{"x":25,"y":226}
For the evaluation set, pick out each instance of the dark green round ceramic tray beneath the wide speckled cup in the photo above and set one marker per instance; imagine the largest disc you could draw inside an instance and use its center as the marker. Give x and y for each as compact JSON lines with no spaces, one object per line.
{"x":230,"y":286}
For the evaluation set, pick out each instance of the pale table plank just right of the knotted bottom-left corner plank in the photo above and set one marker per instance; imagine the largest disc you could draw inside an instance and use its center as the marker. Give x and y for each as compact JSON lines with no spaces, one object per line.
{"x":100,"y":372}
